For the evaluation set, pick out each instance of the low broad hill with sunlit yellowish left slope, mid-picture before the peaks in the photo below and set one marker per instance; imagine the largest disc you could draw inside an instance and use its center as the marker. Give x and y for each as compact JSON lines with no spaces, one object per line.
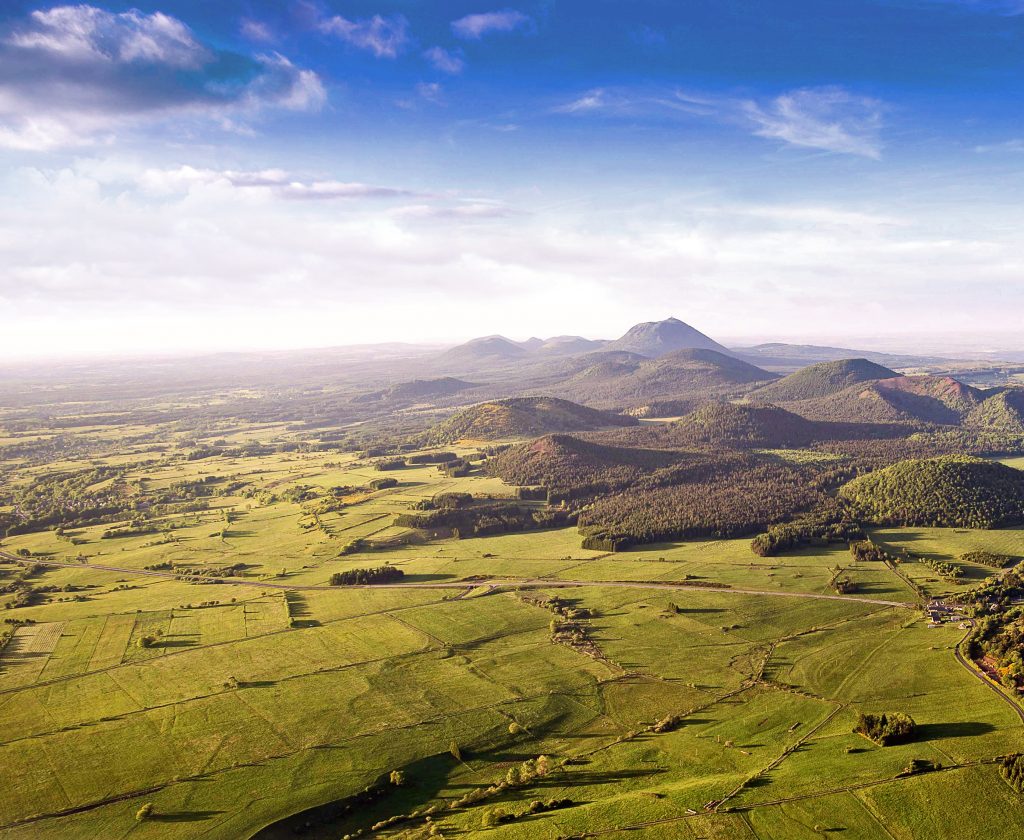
{"x":523,"y":417}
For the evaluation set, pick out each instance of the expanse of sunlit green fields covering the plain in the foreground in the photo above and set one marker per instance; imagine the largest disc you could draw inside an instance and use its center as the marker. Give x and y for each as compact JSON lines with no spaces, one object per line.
{"x":277,"y":695}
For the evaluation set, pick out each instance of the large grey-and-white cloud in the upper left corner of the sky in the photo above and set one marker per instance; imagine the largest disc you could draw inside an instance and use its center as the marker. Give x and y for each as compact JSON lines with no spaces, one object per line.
{"x":75,"y":75}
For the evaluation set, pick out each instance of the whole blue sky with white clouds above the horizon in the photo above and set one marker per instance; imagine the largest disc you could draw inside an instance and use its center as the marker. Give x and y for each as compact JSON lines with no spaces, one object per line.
{"x":183,"y":176}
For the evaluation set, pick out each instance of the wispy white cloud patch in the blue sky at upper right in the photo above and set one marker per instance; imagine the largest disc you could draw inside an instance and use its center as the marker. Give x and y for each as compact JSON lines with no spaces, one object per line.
{"x":830,"y":119}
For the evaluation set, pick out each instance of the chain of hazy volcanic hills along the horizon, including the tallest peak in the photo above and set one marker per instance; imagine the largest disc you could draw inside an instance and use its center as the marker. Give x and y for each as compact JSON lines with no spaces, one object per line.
{"x":670,"y":369}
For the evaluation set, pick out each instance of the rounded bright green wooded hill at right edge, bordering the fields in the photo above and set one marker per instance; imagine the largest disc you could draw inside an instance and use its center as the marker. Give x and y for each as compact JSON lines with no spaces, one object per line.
{"x":954,"y":491}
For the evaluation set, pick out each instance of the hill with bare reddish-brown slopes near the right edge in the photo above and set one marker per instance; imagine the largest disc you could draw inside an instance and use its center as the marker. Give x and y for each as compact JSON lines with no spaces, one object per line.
{"x":933,"y":400}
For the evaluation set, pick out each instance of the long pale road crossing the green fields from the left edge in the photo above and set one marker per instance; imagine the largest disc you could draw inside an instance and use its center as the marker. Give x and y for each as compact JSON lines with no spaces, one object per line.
{"x":542,"y":583}
